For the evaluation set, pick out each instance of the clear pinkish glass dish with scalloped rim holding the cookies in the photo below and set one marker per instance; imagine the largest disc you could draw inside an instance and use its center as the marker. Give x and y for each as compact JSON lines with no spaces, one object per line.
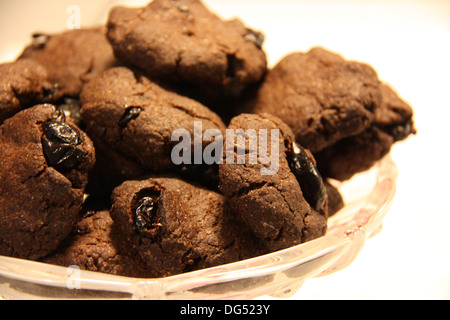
{"x":368,"y":197}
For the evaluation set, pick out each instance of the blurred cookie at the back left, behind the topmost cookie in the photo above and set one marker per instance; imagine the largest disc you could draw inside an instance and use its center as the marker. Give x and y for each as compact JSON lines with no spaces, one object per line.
{"x":71,"y":58}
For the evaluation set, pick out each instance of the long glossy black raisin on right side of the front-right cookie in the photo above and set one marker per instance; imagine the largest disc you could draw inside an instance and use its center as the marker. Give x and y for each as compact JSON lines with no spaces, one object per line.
{"x":308,"y":177}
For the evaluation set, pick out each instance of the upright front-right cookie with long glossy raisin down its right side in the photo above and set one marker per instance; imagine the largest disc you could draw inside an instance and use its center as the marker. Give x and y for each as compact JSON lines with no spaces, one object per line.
{"x":282,"y":207}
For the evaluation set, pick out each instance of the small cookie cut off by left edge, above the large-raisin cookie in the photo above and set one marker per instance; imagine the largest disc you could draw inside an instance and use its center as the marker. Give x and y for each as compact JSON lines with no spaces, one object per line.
{"x":23,"y":84}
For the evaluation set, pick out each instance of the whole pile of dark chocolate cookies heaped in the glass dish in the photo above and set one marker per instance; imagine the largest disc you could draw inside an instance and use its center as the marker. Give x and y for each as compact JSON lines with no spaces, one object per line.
{"x":87,"y":117}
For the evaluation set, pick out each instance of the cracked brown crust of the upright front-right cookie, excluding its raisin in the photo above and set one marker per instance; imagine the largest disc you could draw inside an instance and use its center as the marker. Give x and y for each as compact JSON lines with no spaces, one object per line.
{"x":273,"y":205}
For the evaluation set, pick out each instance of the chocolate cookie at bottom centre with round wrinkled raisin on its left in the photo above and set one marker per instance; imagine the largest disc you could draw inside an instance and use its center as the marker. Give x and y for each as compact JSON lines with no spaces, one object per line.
{"x":178,"y":227}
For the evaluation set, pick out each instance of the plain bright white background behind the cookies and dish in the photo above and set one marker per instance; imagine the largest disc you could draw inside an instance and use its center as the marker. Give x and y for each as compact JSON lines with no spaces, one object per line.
{"x":408,"y":43}
